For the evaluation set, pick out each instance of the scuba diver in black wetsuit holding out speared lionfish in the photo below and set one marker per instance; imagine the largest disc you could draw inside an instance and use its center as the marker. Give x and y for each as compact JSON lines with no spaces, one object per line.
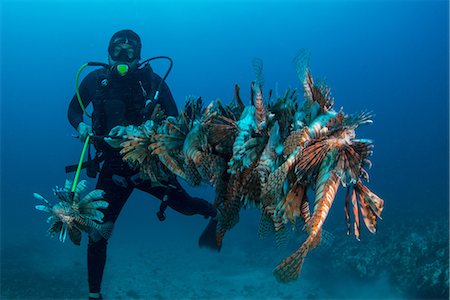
{"x":125,"y":93}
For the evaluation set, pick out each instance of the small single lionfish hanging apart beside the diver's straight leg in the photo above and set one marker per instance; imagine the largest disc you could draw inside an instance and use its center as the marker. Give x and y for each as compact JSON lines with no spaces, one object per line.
{"x":74,"y":214}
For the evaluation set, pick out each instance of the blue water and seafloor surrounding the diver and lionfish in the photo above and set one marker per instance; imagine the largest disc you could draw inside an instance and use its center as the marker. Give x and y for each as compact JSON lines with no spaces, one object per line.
{"x":389,"y":57}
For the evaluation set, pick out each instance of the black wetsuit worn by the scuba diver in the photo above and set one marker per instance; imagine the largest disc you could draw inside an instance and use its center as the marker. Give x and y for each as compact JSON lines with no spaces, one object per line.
{"x":120,"y":101}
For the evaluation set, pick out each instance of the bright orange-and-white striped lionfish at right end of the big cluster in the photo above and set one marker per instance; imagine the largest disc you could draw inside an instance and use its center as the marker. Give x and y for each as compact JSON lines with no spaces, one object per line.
{"x":324,"y":154}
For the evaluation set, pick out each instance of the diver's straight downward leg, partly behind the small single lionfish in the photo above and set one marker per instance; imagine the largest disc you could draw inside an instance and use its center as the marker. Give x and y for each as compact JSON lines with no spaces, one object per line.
{"x":116,"y":196}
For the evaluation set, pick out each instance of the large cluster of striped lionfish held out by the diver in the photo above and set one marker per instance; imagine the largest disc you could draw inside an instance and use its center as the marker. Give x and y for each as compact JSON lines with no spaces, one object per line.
{"x":268,"y":155}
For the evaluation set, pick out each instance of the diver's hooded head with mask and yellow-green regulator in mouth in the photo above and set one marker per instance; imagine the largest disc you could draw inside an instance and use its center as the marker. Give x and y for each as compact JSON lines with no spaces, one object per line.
{"x":124,"y":52}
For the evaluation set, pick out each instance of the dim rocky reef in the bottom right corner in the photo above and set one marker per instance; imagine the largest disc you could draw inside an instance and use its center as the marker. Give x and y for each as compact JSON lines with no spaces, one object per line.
{"x":413,"y":253}
